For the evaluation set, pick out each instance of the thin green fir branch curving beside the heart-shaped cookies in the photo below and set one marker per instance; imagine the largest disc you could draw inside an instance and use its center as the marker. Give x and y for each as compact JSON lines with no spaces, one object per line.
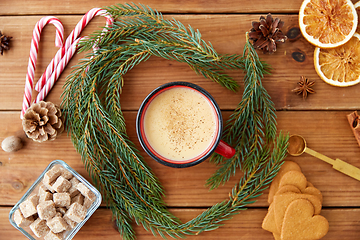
{"x":250,"y":187}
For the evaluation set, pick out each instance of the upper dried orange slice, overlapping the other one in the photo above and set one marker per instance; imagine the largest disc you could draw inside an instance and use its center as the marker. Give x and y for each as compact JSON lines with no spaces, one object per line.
{"x":327,"y":24}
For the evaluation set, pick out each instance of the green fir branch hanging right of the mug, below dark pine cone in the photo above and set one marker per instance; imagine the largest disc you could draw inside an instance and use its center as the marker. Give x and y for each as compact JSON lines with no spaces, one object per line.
{"x":251,"y":126}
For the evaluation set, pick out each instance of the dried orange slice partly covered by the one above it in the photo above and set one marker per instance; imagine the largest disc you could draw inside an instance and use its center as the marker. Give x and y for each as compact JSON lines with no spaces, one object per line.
{"x":339,"y":66}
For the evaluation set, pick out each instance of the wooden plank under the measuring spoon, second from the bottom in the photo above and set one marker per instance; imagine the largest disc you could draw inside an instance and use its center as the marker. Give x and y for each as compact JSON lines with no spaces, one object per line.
{"x":325,"y":132}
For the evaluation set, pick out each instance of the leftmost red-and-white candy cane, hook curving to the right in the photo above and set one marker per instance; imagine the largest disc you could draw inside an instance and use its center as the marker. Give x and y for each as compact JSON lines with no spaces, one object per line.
{"x":34,"y":48}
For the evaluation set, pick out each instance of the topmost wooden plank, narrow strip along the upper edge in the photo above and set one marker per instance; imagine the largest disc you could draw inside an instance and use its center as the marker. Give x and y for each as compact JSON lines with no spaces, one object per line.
{"x":52,"y":7}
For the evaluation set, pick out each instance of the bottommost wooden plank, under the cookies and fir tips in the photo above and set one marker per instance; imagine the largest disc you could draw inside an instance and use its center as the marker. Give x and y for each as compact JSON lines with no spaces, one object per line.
{"x":244,"y":226}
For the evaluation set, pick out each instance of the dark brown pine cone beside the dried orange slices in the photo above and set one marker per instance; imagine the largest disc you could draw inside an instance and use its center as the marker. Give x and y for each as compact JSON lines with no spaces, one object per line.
{"x":266,"y":33}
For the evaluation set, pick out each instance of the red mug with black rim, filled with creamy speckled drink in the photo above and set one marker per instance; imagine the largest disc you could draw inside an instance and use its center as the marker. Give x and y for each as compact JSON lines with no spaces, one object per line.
{"x":179,"y":124}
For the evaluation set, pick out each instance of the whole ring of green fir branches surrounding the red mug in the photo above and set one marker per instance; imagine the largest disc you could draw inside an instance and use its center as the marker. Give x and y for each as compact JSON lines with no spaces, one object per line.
{"x":91,"y":102}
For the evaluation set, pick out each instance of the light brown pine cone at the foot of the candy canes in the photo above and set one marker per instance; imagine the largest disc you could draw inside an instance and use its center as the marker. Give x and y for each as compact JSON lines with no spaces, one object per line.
{"x":42,"y":121}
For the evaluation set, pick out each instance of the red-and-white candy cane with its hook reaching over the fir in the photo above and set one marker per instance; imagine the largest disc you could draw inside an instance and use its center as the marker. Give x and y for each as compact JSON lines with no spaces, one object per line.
{"x":70,"y":40}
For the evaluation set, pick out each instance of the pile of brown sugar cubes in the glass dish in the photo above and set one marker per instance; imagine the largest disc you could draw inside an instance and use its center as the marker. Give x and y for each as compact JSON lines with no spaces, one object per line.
{"x":61,"y":203}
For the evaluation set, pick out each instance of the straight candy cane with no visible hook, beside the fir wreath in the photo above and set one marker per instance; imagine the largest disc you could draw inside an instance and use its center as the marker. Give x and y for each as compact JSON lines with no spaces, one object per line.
{"x":57,"y":71}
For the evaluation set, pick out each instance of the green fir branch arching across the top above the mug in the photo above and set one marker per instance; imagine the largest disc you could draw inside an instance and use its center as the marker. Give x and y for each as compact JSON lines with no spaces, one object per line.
{"x":168,"y":39}
